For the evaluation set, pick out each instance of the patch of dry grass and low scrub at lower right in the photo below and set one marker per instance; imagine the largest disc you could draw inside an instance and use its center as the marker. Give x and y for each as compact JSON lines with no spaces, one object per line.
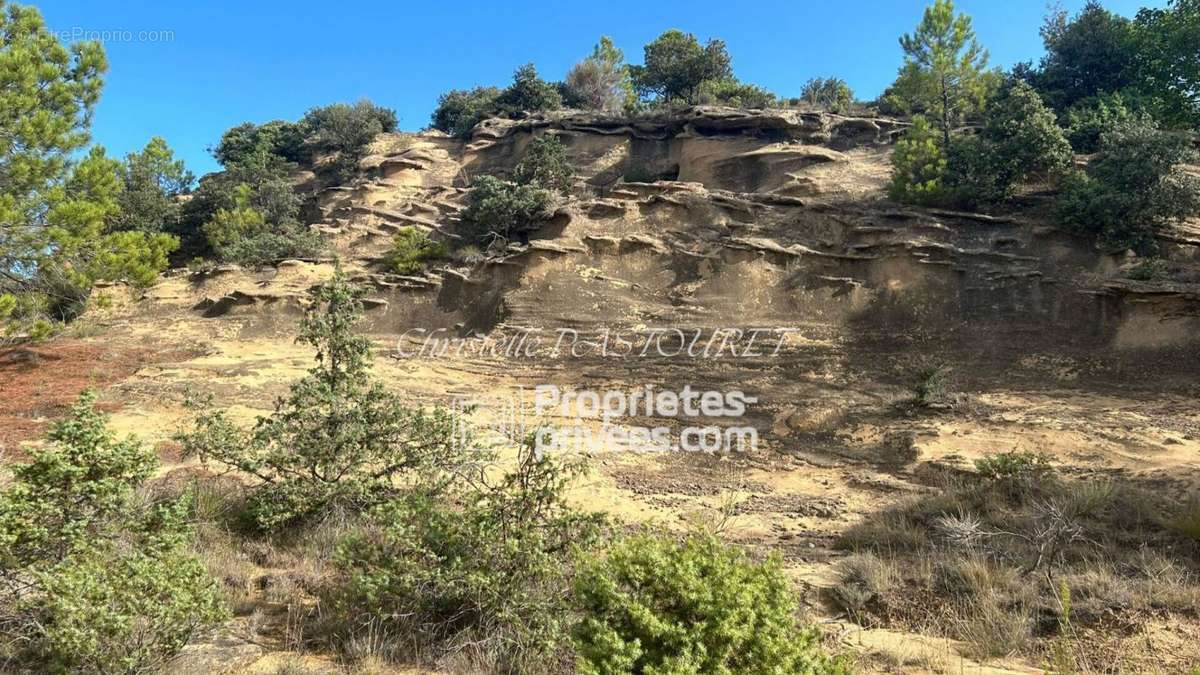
{"x":989,"y":557}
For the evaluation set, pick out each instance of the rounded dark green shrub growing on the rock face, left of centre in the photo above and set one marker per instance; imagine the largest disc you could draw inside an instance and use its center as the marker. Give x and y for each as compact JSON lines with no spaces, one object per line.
{"x":499,"y":211}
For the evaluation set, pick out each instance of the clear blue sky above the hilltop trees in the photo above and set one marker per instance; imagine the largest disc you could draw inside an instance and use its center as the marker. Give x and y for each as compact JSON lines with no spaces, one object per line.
{"x":225,"y":63}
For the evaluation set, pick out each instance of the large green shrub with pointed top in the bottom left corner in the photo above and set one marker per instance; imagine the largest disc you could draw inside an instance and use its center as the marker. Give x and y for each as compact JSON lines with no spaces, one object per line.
{"x":94,"y":581}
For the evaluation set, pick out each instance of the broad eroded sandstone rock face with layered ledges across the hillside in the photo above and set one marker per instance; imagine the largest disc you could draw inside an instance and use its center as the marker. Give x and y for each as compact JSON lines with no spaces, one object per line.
{"x":717,"y":217}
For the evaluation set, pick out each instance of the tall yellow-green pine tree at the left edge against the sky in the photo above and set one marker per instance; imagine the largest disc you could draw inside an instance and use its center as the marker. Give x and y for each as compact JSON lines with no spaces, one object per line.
{"x":57,"y":213}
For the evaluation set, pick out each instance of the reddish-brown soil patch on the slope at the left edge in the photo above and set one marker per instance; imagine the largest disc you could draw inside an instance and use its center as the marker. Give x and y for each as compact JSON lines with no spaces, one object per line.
{"x":39,"y":384}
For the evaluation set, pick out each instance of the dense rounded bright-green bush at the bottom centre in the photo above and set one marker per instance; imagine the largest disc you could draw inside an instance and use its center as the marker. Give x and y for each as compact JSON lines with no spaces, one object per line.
{"x":656,"y":606}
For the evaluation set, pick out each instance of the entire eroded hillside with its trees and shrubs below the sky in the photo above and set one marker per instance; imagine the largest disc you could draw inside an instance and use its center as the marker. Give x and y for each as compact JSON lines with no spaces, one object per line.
{"x":965,"y":315}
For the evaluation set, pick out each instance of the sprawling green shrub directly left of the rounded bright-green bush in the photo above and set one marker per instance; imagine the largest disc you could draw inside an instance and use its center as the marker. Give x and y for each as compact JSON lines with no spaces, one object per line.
{"x":491,"y":568}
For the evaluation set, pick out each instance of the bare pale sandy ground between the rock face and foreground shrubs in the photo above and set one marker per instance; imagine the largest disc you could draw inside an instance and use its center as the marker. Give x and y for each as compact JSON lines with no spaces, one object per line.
{"x":821,"y":474}
